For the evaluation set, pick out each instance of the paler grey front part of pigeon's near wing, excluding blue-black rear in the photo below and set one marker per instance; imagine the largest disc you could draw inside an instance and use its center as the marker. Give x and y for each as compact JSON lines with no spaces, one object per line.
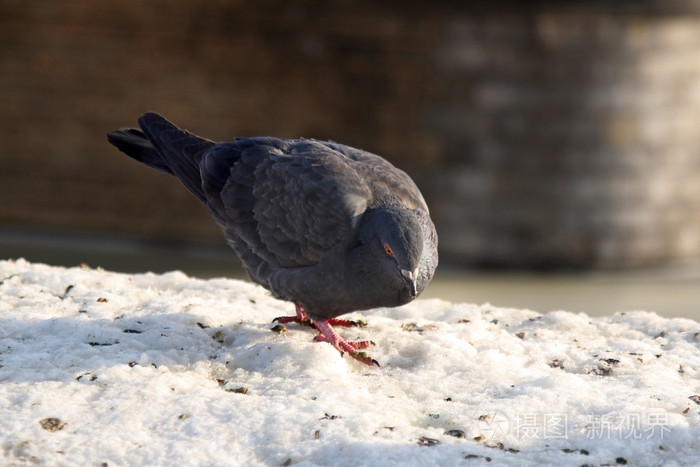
{"x":307,"y":202}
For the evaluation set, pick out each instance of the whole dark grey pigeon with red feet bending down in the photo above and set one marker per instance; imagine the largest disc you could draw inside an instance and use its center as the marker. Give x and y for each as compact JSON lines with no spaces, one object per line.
{"x":330,"y":228}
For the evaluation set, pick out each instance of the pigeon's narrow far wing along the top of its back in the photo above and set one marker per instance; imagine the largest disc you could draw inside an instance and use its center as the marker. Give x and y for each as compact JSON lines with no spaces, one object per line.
{"x":387,"y":181}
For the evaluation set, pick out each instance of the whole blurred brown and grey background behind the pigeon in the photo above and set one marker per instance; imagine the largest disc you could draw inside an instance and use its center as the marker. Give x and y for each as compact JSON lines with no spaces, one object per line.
{"x":557,"y":143}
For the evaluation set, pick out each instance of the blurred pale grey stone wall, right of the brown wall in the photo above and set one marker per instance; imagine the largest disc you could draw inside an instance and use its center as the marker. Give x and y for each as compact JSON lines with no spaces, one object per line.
{"x":575,"y":140}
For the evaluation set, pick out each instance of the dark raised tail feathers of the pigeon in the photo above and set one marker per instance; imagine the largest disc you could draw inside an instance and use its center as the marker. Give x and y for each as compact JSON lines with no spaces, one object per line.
{"x":165,"y":147}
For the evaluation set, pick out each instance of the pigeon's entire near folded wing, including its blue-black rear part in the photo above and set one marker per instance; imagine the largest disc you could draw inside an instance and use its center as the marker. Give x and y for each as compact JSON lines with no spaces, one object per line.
{"x":284,"y":203}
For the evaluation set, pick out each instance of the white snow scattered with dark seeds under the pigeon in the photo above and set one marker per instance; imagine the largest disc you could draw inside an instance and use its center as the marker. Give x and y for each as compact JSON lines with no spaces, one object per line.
{"x":102,"y":368}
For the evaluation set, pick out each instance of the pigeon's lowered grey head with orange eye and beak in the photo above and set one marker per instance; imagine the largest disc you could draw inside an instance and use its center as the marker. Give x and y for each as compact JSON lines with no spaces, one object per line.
{"x":392,"y":238}
